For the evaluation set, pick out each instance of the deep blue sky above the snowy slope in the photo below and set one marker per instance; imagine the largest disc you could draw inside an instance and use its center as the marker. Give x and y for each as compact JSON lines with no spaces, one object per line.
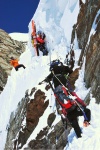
{"x":15,"y":15}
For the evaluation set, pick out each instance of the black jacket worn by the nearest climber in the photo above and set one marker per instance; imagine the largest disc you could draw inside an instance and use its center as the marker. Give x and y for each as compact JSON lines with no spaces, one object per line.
{"x":59,"y":71}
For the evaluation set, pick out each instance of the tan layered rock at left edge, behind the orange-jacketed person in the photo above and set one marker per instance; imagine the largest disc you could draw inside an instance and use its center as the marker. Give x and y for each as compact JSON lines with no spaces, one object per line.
{"x":8,"y":48}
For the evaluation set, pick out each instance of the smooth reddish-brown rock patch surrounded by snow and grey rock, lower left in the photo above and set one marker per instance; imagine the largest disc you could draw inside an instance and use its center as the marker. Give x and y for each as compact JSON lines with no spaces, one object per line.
{"x":35,"y":109}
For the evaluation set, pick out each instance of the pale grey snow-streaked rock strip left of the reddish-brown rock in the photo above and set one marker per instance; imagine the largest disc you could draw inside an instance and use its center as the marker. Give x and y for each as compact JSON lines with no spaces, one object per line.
{"x":16,"y":124}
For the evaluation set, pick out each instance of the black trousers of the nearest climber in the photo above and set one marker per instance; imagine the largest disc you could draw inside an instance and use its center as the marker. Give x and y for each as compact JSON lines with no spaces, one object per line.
{"x":72,"y":117}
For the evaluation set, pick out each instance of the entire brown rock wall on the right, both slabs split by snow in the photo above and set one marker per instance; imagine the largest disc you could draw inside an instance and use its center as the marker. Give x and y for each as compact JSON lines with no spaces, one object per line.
{"x":90,"y":48}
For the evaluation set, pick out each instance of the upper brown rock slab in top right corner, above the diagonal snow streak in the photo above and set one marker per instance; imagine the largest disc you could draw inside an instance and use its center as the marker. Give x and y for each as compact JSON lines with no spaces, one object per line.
{"x":85,"y":20}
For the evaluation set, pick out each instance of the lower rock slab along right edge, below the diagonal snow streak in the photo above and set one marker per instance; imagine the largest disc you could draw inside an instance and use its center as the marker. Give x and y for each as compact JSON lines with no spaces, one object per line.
{"x":92,"y":71}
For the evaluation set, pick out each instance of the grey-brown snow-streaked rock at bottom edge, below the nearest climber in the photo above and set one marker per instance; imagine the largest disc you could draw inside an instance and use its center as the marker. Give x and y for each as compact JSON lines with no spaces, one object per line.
{"x":54,"y":139}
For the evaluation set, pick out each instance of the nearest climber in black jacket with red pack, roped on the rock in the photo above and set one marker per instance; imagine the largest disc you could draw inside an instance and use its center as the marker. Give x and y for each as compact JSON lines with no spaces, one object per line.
{"x":72,"y":105}
